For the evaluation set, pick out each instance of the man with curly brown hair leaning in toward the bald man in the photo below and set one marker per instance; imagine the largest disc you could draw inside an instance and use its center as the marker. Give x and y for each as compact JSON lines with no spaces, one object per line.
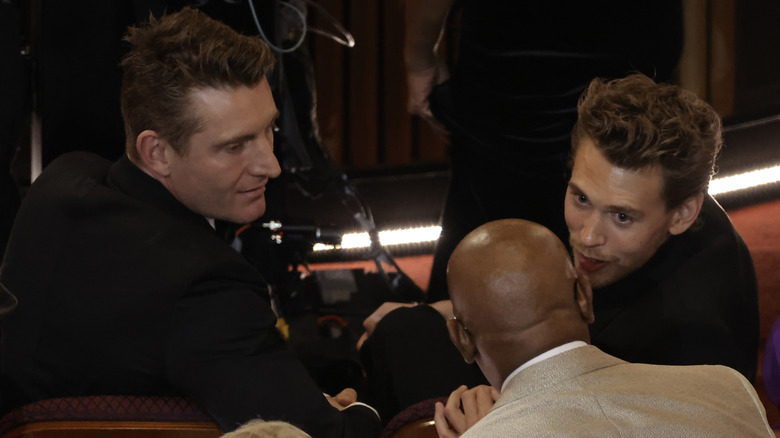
{"x":673,"y":281}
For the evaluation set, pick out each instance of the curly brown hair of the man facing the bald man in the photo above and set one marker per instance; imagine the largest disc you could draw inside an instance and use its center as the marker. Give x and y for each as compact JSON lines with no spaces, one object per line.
{"x":636,"y":122}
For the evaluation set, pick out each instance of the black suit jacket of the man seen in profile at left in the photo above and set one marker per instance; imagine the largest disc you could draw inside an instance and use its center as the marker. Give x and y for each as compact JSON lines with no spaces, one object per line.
{"x":123,"y":290}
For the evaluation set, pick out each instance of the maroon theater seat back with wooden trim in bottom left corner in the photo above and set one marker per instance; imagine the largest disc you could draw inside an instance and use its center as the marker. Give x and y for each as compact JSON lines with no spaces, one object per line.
{"x":113,"y":416}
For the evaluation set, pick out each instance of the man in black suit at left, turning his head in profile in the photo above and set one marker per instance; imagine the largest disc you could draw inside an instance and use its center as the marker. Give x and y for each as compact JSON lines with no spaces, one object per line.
{"x":124,"y":285}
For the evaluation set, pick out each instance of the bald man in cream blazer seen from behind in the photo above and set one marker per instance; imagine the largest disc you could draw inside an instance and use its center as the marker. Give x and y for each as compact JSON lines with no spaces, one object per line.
{"x":522,"y":314}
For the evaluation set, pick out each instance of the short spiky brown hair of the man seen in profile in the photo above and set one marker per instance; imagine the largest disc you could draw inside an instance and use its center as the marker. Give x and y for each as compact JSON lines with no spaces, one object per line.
{"x":174,"y":55}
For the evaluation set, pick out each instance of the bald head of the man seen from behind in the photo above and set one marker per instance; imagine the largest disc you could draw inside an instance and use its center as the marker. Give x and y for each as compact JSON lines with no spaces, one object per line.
{"x":513,"y":293}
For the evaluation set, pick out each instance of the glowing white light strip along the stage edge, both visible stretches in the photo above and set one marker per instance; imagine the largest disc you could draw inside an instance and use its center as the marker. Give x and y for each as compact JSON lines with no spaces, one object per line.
{"x":718,"y":186}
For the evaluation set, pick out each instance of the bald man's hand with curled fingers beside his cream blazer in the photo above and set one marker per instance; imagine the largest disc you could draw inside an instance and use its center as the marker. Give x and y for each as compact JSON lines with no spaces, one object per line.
{"x":464,"y":408}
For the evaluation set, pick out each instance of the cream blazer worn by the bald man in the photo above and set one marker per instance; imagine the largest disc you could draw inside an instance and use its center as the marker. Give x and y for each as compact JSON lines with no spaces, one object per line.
{"x":585,"y":392}
